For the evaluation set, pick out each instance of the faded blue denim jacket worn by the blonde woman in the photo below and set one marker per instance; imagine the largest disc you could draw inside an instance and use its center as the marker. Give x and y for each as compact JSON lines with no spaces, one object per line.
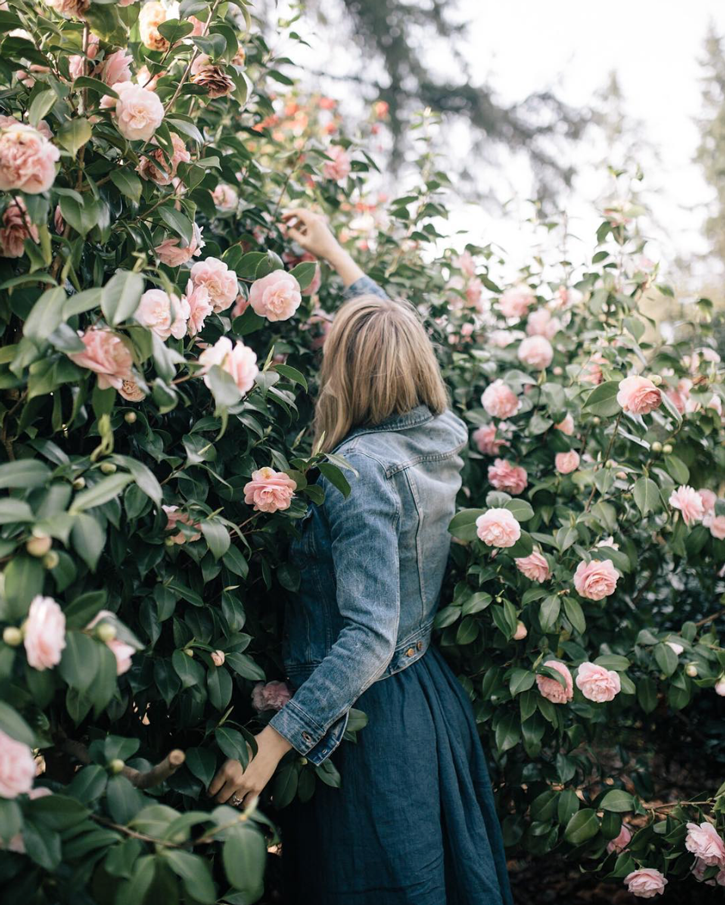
{"x":371,"y":569}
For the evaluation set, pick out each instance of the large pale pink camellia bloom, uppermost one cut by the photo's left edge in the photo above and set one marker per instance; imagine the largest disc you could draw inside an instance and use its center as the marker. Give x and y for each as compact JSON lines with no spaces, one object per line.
{"x":27,"y":159}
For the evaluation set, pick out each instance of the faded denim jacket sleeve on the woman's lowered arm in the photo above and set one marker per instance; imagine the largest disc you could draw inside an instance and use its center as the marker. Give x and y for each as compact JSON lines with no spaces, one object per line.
{"x":364,"y":535}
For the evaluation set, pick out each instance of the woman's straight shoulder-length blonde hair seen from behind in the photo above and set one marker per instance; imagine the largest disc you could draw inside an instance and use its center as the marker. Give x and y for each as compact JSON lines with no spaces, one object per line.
{"x":378,"y":361}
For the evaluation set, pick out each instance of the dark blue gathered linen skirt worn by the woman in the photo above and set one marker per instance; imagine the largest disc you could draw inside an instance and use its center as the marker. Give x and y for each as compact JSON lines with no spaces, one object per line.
{"x":414,"y":821}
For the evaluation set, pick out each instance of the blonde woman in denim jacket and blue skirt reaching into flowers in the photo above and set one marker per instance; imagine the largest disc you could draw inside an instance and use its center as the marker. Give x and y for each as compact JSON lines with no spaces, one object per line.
{"x":414,"y":819}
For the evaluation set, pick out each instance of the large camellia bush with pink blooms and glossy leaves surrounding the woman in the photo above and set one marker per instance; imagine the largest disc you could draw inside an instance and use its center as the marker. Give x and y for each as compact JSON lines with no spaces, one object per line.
{"x":160,"y":343}
